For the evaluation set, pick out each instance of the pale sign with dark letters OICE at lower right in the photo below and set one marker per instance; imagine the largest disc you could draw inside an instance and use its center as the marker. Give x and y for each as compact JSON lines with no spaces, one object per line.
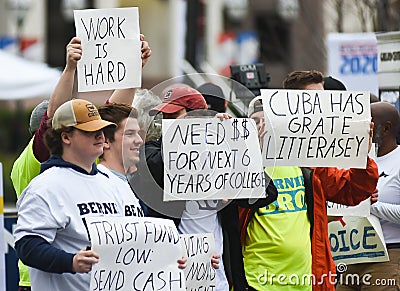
{"x":357,"y":240}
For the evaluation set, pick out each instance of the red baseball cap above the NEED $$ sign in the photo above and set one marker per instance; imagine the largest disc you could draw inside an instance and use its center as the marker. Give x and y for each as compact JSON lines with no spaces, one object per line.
{"x":180,"y":97}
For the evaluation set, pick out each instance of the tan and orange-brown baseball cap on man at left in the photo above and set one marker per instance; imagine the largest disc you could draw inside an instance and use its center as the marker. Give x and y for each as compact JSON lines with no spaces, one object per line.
{"x":80,"y":114}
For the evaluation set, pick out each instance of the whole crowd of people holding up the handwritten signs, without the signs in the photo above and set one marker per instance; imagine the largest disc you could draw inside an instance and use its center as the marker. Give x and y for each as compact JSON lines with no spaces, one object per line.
{"x":84,"y":161}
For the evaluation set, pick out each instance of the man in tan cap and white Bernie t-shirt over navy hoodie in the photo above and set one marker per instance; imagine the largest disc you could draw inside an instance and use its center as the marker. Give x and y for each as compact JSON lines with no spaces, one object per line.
{"x":51,"y":235}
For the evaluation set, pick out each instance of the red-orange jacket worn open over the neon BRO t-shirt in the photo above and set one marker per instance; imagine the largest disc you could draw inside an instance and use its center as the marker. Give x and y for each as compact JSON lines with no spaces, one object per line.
{"x":348,"y":187}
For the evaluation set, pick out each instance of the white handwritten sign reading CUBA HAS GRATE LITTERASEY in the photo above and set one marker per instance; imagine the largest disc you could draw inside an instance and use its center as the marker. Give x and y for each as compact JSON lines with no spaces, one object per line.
{"x":316,"y":128}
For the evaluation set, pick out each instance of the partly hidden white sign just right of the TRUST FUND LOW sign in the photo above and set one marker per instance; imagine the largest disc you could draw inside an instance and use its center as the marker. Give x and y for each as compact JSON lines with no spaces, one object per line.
{"x":199,"y":273}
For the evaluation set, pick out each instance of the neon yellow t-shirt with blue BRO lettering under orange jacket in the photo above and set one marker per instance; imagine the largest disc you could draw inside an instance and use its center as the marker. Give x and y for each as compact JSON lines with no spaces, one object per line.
{"x":277,"y":247}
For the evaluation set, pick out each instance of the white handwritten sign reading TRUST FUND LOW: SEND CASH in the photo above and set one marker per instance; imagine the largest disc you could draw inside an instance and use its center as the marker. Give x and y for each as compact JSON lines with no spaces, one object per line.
{"x":136,"y":253}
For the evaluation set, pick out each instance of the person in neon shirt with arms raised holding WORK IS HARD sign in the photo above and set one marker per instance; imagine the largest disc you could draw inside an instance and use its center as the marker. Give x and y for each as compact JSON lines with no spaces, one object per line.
{"x":27,"y":166}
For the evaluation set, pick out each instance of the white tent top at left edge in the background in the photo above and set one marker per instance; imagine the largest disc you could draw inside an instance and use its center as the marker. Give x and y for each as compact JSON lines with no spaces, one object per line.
{"x":22,"y":79}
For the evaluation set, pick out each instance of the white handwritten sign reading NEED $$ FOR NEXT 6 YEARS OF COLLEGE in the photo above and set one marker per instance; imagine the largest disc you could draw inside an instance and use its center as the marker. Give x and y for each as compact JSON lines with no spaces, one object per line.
{"x":212,"y":159}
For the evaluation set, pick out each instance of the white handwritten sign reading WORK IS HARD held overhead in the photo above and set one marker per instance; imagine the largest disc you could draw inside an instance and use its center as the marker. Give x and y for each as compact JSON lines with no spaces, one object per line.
{"x":111,"y":56}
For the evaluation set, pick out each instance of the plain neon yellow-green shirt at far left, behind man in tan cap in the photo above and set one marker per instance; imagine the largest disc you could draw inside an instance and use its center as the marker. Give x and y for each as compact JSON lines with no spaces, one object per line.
{"x":25,"y":168}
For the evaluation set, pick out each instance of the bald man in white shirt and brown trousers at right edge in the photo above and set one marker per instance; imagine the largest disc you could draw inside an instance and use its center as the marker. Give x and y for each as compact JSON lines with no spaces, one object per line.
{"x":385,"y":275}
